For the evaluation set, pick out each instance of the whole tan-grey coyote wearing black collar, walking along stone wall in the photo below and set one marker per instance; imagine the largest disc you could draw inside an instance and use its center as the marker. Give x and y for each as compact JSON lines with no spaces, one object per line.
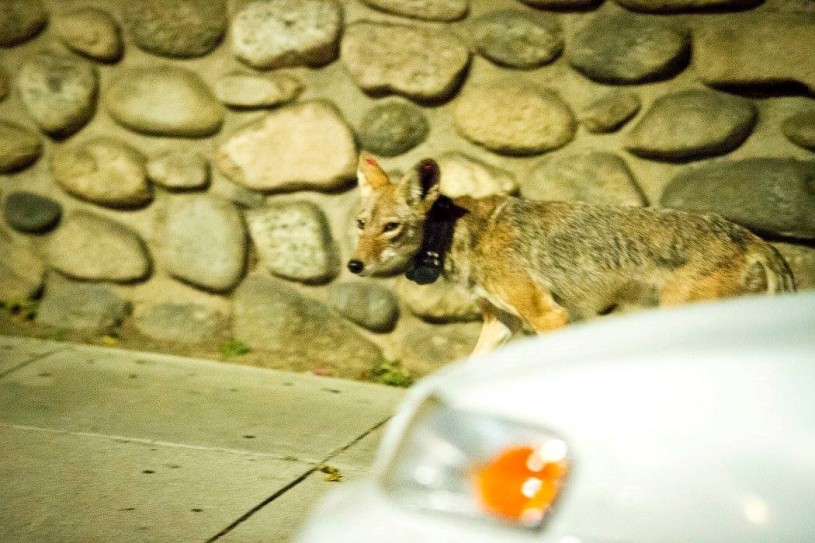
{"x":545,"y":264}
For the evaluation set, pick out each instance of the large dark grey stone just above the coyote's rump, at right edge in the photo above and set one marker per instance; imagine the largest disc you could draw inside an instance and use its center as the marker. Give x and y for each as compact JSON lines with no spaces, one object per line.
{"x":773,"y":195}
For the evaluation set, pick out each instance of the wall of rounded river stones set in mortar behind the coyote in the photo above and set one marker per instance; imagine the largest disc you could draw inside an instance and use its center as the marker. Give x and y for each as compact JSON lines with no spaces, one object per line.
{"x":186,"y":168}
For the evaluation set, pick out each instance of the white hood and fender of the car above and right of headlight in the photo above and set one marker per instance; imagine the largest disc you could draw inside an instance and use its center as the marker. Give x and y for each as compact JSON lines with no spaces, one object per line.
{"x":696,"y":422}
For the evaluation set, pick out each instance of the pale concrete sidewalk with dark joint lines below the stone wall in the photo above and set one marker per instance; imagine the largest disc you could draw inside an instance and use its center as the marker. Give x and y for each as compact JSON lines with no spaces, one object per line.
{"x":108,"y":445}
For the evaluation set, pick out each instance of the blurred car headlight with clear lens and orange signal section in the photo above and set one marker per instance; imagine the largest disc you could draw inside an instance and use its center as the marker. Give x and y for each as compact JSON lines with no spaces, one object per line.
{"x":476,"y":465}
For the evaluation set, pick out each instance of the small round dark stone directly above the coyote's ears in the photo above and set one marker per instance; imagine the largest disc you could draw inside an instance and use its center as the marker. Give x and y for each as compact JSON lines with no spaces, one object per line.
{"x":393,"y":128}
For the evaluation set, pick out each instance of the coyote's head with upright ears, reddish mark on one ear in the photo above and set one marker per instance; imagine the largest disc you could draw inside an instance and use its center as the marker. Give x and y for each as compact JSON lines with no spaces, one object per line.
{"x":391,"y":215}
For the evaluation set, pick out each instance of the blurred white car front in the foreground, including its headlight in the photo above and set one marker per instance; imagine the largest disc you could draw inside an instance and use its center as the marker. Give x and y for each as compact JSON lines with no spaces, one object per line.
{"x":693,"y":424}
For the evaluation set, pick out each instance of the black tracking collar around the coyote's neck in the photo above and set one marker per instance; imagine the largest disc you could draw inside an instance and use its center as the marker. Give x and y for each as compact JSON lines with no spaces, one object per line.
{"x":428,"y":263}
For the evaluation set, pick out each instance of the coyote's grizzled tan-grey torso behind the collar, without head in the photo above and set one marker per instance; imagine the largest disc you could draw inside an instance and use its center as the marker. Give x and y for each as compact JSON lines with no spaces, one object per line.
{"x":594,"y":260}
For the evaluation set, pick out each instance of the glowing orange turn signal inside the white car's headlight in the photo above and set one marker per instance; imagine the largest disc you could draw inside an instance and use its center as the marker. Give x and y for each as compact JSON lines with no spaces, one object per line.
{"x":522,"y":482}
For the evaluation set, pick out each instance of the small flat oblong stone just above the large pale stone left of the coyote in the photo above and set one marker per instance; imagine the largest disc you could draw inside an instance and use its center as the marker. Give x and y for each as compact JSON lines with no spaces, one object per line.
{"x":242,"y":90}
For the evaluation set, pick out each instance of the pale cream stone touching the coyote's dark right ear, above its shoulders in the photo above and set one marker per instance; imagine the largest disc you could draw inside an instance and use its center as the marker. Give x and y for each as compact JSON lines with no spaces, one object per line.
{"x":463,"y":175}
